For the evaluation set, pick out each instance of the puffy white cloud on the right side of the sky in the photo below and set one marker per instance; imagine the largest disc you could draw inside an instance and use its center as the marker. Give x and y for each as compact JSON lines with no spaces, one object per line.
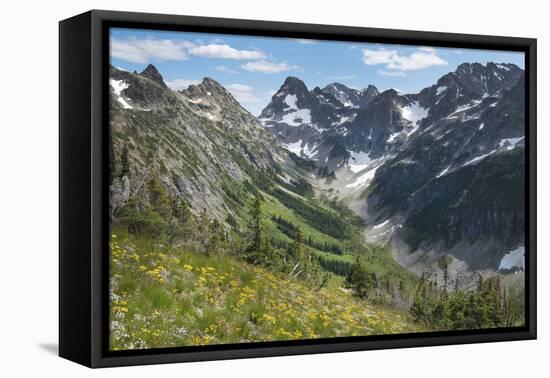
{"x":422,"y":57}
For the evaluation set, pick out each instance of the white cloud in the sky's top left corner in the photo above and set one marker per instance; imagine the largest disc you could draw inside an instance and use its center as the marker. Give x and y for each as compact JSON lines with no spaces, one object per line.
{"x":149,"y":49}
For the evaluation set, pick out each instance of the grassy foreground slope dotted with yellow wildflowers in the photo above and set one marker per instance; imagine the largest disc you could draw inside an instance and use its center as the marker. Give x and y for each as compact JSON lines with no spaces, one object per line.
{"x":165,"y":297}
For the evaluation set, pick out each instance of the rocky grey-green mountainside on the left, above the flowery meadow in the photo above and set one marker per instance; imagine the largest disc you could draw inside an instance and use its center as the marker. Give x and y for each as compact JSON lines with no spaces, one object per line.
{"x":210,"y":152}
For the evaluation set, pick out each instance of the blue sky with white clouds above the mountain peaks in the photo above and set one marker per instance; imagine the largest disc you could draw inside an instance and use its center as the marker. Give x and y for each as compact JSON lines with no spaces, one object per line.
{"x":253,"y":68}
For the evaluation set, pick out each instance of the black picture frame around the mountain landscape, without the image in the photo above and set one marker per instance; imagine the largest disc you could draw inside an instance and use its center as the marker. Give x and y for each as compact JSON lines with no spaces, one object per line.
{"x":83,"y":195}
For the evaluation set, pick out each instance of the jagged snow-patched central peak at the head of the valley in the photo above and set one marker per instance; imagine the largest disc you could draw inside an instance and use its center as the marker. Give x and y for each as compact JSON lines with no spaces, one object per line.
{"x":339,"y":125}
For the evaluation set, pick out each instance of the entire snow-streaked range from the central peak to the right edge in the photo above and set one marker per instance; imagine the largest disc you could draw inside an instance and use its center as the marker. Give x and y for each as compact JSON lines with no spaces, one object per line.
{"x":442,"y":171}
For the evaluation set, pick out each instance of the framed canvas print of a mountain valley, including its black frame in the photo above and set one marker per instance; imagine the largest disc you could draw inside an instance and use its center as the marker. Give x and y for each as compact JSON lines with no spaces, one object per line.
{"x":234,"y":188}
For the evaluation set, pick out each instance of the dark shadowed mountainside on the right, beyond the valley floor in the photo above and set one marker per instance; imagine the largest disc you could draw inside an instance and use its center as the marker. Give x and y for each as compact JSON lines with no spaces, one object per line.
{"x":458,"y":184}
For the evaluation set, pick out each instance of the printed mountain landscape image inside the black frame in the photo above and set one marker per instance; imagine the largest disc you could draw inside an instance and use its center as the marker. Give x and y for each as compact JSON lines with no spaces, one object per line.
{"x":385,"y":196}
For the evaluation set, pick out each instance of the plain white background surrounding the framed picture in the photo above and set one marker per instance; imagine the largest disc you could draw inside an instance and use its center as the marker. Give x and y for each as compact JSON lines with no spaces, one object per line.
{"x":28,"y":189}
